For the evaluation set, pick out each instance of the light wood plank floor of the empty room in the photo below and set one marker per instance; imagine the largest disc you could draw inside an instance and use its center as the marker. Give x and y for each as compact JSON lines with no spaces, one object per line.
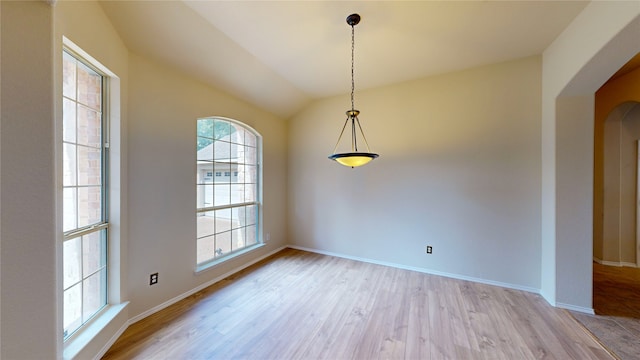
{"x":301,"y":305}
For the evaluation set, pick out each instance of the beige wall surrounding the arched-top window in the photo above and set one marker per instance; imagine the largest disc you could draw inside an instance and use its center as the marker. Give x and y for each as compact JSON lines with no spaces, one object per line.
{"x":163,"y":108}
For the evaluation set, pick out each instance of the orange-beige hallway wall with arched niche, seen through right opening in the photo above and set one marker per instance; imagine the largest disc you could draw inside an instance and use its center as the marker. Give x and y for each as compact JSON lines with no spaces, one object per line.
{"x":617,"y":128}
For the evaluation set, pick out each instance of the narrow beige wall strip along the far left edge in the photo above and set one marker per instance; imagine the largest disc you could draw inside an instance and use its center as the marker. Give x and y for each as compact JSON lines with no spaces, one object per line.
{"x":28,"y":299}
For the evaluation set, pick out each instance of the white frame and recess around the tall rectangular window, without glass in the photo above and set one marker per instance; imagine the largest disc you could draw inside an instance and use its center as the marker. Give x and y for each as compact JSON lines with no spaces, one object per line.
{"x":96,"y":332}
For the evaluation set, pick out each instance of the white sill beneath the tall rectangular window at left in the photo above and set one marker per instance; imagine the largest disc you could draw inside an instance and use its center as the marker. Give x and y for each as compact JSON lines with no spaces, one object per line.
{"x":79,"y":341}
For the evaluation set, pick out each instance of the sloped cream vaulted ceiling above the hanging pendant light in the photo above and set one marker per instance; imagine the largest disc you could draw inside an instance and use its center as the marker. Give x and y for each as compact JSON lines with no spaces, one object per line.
{"x":279,"y":55}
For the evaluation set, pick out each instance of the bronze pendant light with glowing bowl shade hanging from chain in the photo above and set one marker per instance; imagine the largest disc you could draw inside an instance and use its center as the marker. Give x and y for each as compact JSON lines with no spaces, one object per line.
{"x":355,"y":157}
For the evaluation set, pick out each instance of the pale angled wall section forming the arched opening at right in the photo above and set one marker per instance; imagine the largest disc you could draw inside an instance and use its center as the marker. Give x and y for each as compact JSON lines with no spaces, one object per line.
{"x":573,"y":70}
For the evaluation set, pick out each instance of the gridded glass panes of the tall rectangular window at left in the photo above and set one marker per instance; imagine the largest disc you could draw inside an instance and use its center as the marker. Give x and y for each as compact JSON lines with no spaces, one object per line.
{"x":84,"y":194}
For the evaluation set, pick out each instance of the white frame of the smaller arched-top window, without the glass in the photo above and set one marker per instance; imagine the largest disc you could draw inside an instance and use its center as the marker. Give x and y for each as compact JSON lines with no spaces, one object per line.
{"x":258,"y":202}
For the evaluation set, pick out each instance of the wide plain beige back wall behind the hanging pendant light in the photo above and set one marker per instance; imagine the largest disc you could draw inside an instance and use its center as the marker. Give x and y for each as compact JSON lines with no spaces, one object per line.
{"x":459,"y":170}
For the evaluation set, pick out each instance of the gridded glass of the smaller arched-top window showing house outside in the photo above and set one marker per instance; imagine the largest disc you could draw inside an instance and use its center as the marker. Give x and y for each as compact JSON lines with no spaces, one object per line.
{"x":228,"y":204}
